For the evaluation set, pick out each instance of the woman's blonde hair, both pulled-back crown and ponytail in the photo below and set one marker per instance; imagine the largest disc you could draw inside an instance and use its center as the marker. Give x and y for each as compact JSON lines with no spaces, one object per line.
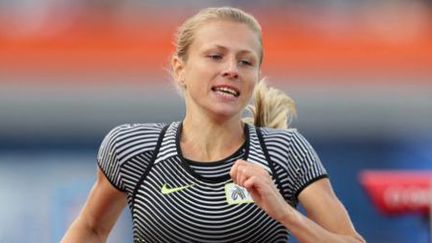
{"x":273,"y":108}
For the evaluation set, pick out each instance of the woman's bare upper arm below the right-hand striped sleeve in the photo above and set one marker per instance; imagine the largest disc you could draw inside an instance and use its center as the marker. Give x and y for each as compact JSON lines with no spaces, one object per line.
{"x":323,"y":207}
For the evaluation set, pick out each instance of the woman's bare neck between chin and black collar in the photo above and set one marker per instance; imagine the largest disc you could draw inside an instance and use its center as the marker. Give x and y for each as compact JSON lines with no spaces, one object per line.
{"x":206,"y":140}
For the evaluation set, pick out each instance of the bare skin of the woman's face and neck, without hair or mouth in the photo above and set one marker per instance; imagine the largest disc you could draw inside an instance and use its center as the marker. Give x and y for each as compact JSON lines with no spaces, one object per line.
{"x":223,"y":53}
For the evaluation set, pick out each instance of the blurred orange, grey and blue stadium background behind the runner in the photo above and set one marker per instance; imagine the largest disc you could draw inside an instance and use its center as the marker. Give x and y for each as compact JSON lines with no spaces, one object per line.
{"x":70,"y":70}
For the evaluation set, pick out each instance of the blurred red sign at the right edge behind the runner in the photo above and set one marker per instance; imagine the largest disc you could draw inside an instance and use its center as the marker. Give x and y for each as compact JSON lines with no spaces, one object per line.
{"x":399,"y":192}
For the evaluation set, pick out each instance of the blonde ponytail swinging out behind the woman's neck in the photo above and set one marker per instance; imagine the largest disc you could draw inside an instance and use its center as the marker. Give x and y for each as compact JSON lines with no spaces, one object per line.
{"x":272,"y":108}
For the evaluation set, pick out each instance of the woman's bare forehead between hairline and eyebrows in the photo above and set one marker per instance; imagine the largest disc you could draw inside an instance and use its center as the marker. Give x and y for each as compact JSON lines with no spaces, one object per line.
{"x":232,"y":35}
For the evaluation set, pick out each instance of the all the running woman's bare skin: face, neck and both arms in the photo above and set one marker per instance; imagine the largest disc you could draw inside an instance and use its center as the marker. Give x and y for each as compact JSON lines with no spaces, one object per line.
{"x":224,"y":54}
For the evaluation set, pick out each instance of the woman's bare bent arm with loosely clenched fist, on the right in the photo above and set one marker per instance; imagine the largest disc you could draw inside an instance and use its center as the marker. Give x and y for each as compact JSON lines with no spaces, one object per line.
{"x":326,"y":221}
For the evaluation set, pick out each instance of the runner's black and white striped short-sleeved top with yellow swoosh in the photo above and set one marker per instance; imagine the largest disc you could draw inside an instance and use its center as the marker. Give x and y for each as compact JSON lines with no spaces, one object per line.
{"x":173,"y":199}
